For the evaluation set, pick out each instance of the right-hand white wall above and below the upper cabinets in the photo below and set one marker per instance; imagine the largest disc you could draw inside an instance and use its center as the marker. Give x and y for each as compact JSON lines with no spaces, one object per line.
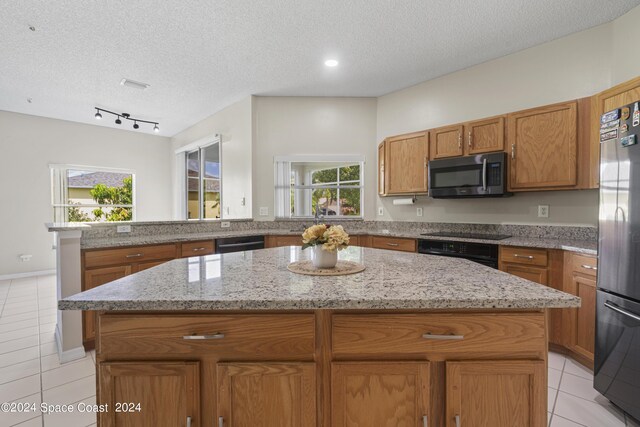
{"x":575,"y":66}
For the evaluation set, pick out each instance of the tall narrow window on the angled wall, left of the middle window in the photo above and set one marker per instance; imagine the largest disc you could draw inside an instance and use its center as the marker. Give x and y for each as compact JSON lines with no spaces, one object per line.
{"x":203,"y":182}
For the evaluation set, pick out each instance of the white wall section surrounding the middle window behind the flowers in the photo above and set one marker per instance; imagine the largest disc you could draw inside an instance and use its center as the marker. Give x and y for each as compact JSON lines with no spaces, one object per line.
{"x":310,"y":126}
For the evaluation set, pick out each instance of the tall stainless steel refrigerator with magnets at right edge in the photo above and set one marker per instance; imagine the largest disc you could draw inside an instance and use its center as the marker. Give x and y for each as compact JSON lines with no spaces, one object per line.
{"x":617,"y":346}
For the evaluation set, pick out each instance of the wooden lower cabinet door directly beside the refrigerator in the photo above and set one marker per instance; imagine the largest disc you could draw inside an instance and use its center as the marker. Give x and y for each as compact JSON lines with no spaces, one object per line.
{"x":582,"y":321}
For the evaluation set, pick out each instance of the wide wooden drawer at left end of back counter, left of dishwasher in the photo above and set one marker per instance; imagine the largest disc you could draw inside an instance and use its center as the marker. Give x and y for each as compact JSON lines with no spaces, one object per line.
{"x":130,"y":255}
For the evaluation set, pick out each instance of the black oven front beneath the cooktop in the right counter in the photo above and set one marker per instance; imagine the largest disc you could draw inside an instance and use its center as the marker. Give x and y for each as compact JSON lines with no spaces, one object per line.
{"x":483,"y":253}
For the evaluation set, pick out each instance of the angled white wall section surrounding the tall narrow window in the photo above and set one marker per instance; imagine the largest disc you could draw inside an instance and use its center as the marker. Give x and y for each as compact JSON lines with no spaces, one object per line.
{"x":234,"y":124}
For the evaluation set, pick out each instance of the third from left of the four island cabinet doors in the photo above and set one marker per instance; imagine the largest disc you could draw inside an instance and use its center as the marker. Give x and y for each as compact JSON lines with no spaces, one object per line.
{"x":370,"y":394}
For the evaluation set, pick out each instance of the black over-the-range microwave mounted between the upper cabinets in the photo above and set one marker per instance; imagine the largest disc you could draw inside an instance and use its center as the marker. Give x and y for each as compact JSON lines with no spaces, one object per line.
{"x":483,"y":175}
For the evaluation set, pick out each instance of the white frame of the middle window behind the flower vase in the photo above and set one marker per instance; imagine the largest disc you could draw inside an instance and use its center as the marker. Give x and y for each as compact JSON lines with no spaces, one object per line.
{"x":283,"y":186}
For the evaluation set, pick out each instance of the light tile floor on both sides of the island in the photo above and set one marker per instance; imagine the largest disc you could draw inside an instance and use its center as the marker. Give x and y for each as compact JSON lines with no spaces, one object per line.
{"x":31,"y":372}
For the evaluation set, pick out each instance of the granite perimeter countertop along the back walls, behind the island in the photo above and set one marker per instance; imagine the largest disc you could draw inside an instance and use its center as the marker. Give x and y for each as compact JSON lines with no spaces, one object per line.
{"x":581,"y":246}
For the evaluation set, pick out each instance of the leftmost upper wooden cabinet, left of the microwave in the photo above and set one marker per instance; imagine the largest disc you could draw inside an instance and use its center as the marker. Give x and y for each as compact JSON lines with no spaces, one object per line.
{"x":402,"y":162}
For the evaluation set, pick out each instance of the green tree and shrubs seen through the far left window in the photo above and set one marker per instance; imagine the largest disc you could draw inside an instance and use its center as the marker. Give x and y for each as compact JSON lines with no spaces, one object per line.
{"x":105,"y":195}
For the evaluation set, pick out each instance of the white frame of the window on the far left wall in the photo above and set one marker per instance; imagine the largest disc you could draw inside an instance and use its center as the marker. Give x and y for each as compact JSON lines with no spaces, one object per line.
{"x":60,"y":187}
